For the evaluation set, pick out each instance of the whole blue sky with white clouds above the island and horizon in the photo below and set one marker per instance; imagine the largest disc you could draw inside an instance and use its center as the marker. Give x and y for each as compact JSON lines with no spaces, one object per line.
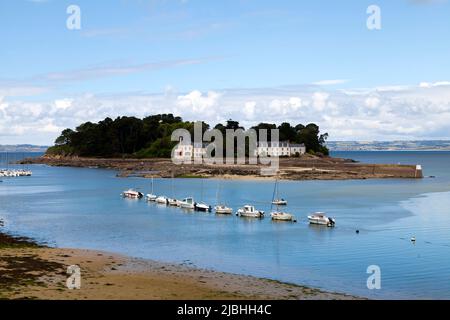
{"x":220,"y":59}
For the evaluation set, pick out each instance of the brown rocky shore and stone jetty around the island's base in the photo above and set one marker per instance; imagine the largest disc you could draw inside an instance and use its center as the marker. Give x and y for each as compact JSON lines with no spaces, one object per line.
{"x":306,"y":167}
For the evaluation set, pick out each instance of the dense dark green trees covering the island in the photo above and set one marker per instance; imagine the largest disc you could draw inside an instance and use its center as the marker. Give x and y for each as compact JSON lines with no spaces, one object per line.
{"x":151,"y":136}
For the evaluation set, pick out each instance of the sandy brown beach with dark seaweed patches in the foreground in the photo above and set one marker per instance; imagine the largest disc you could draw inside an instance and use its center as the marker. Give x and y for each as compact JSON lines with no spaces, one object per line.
{"x":33,"y":271}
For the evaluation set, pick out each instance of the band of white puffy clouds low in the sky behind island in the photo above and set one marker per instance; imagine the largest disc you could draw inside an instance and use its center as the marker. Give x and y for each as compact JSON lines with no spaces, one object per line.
{"x":409,"y":112}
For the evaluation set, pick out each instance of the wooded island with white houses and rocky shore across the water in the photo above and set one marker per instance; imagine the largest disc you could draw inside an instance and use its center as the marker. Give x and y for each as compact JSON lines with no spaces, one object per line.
{"x":143,"y":147}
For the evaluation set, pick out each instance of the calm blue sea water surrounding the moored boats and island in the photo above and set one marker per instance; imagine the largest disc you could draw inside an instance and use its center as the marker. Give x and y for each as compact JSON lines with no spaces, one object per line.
{"x":77,"y":207}
